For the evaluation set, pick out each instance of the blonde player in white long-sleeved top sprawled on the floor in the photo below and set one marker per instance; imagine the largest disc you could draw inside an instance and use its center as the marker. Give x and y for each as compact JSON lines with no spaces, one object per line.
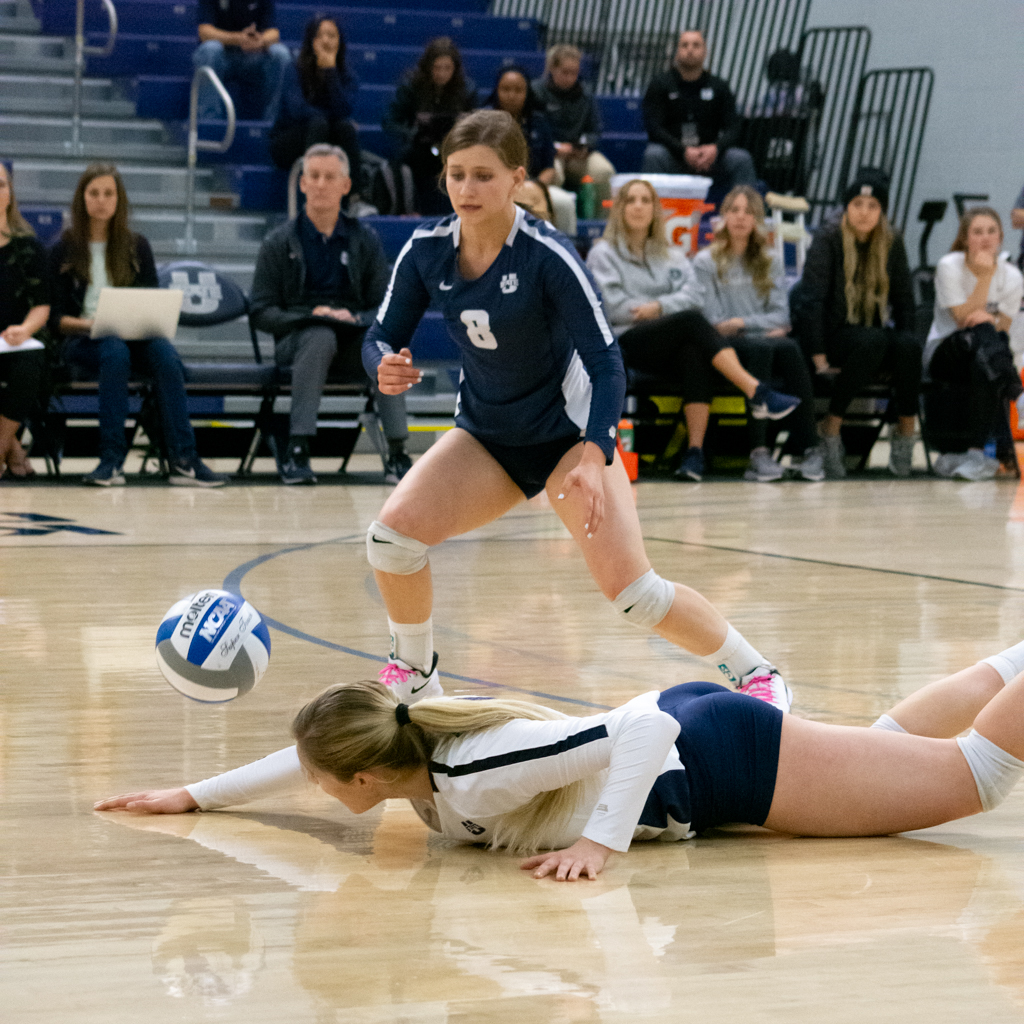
{"x":666,"y":766}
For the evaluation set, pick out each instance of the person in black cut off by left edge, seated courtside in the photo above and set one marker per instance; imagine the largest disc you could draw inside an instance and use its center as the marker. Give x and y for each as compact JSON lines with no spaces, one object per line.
{"x":25,"y":298}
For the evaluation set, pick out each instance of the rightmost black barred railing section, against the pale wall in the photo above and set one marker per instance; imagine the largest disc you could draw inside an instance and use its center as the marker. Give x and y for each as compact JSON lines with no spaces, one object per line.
{"x":888,"y":132}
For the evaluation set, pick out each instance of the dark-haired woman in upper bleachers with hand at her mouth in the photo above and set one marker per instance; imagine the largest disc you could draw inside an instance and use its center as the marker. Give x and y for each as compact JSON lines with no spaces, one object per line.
{"x":317,"y":99}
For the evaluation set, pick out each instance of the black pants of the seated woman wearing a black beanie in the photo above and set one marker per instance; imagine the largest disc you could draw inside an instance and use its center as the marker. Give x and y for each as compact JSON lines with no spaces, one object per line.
{"x":864,"y":353}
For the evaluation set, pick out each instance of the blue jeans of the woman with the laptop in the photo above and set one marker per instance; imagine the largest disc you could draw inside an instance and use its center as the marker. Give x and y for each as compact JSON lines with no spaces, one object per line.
{"x":113,"y":360}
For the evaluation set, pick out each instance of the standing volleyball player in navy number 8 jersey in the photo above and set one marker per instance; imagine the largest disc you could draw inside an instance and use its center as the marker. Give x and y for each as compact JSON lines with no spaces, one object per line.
{"x":540,"y":398}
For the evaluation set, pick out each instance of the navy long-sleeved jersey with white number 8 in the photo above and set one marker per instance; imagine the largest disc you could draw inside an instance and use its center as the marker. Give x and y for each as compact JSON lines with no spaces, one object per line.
{"x":539,"y":360}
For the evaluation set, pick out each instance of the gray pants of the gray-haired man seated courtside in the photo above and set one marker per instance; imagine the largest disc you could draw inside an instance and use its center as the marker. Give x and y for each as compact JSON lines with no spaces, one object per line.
{"x":313,"y":353}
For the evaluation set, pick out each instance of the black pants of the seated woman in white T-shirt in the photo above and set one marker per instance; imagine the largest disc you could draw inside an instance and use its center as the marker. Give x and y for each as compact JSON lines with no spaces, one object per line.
{"x":979,"y":360}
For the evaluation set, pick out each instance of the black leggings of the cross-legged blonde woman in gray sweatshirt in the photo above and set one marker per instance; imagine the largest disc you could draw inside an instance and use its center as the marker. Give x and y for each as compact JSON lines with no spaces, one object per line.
{"x":679,"y":350}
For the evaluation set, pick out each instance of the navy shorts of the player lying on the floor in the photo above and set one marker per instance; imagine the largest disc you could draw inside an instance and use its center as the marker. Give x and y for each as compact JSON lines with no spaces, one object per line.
{"x":729,"y":744}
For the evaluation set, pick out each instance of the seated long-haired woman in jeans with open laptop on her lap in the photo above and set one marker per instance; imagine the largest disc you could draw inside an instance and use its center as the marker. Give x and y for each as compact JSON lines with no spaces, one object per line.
{"x":99,"y":251}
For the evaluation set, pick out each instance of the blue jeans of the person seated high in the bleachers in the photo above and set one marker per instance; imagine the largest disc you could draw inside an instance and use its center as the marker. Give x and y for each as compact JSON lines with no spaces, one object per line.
{"x":258,"y":75}
